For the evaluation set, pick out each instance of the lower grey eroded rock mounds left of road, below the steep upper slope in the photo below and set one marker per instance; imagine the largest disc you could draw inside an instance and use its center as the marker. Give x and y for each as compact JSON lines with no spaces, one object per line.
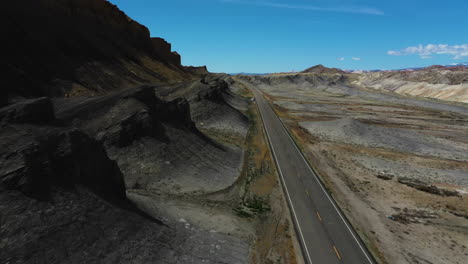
{"x":65,"y":171}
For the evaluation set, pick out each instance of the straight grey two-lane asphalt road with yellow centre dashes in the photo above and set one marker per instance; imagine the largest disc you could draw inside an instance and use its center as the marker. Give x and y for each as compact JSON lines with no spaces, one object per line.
{"x":325,"y":235}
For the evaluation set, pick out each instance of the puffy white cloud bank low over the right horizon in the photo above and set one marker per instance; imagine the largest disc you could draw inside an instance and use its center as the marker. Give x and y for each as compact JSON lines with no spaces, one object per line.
{"x":425,"y":52}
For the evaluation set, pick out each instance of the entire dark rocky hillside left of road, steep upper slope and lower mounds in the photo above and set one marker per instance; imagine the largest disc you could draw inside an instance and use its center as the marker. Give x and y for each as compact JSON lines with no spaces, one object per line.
{"x":90,"y":107}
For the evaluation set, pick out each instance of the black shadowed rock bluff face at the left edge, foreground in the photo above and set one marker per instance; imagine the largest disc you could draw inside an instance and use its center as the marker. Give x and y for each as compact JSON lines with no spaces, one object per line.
{"x":35,"y":158}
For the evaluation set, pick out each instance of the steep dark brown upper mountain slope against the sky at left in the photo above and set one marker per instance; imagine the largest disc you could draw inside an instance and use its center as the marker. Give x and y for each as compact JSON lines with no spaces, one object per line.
{"x":79,"y":47}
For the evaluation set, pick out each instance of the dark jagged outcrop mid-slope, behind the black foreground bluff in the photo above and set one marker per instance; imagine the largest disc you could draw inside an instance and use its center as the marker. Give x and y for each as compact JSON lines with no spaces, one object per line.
{"x":137,"y":114}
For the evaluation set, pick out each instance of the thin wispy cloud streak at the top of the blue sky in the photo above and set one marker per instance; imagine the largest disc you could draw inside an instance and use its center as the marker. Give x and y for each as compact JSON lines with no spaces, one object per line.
{"x":337,"y":9}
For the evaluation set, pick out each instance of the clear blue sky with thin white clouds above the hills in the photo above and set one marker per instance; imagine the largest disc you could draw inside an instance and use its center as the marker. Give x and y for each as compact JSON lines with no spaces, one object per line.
{"x":285,"y":35}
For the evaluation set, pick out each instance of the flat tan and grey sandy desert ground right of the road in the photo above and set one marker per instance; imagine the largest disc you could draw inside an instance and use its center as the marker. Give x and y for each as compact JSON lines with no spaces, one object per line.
{"x":397,"y":166}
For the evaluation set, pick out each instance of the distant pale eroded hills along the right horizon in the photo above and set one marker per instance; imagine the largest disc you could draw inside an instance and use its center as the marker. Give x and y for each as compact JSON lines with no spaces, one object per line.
{"x":435,"y":82}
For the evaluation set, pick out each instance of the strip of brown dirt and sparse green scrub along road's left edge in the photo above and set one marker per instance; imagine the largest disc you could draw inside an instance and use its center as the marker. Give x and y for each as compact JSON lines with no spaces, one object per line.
{"x":261,"y":199}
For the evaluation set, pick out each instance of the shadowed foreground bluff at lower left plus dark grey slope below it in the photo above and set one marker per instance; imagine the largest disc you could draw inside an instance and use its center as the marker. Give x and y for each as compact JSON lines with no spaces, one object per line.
{"x":62,"y":200}
